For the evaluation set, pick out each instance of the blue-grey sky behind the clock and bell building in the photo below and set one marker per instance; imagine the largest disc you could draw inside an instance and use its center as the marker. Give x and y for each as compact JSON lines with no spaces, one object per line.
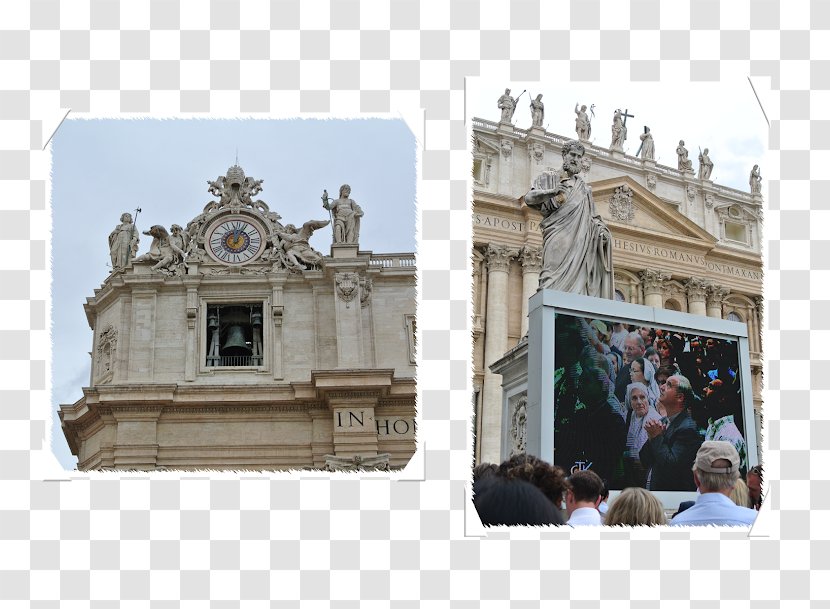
{"x":103,"y":168}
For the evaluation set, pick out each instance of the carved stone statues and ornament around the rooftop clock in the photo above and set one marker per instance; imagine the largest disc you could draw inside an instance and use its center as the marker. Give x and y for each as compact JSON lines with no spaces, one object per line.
{"x":285,"y":247}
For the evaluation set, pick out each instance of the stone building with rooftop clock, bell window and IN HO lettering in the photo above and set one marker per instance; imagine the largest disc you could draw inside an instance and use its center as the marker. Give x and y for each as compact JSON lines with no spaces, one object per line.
{"x":250,"y":351}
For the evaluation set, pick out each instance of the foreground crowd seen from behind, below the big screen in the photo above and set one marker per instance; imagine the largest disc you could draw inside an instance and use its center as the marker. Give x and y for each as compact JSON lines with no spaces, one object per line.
{"x":525,"y":490}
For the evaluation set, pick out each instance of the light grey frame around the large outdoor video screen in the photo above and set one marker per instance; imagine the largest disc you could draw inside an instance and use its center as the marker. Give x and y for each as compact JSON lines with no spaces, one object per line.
{"x":542,"y":309}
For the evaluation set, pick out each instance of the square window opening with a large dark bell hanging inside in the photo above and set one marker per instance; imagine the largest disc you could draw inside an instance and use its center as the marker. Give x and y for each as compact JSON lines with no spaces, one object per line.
{"x":234,"y":335}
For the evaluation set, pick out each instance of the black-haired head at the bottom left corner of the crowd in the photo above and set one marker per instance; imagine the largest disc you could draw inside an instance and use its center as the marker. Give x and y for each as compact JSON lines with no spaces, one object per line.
{"x":510,"y":501}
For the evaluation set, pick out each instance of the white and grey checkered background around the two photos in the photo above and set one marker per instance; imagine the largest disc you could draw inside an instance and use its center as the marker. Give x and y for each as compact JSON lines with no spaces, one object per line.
{"x":75,"y":540}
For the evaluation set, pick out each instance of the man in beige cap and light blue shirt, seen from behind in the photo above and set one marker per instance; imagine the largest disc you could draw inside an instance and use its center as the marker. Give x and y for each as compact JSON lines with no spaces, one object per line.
{"x":715,"y":472}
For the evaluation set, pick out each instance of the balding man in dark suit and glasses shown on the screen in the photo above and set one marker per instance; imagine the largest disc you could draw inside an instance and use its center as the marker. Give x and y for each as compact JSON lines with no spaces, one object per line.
{"x":672,"y":444}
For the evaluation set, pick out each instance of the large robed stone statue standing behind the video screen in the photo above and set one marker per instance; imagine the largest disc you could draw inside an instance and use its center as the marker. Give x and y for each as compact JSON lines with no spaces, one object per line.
{"x":576,"y":243}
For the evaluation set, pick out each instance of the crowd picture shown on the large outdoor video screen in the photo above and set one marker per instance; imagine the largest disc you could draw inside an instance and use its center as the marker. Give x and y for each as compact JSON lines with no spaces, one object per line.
{"x":634,"y":404}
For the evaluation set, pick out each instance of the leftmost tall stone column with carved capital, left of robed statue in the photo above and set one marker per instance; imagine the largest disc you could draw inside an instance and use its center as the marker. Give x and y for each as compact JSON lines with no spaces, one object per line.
{"x":495,"y":344}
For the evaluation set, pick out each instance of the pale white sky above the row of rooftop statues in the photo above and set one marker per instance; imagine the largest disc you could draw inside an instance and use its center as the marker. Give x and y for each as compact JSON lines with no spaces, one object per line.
{"x":725,"y":118}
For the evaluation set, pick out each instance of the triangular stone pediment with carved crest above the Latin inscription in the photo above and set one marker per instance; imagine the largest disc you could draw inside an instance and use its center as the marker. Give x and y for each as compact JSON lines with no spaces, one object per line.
{"x":629,"y":207}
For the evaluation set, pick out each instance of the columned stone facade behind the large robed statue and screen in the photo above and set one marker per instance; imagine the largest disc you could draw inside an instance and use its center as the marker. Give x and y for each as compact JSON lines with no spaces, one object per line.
{"x":679,"y":242}
